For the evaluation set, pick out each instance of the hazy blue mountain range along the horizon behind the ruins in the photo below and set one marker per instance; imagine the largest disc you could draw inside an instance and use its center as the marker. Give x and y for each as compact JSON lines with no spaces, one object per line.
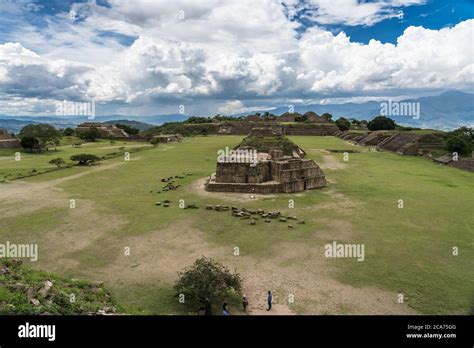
{"x":446,"y":111}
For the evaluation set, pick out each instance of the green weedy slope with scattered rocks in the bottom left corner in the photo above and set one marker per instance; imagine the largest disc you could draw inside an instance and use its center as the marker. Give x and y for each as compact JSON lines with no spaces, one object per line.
{"x":26,"y":291}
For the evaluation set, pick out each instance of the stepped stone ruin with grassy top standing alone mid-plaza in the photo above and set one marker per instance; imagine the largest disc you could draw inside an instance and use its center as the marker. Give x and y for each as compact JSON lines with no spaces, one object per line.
{"x":265,"y":162}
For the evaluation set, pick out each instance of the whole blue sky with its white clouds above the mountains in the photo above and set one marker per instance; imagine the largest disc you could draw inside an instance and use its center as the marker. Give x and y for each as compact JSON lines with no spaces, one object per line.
{"x":204,"y":57}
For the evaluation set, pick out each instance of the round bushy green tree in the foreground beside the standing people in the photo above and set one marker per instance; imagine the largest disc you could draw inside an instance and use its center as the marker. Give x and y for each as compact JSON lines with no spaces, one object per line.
{"x":206,"y":283}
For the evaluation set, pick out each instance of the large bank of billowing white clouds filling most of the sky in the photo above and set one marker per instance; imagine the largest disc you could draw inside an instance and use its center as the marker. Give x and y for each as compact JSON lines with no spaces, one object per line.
{"x":223,"y":51}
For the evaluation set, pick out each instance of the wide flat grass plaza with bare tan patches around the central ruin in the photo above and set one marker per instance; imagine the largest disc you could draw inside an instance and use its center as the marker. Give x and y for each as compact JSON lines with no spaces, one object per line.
{"x":408,"y":250}
